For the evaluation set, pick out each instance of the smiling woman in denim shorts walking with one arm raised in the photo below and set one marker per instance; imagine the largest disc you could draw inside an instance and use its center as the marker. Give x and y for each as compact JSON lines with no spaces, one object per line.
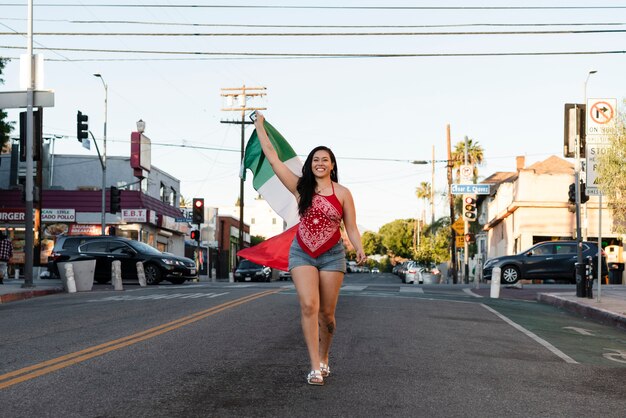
{"x":317,"y":259}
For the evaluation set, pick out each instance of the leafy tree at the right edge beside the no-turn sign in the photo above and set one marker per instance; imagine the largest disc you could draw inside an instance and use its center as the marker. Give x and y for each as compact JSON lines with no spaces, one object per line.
{"x":612,"y":175}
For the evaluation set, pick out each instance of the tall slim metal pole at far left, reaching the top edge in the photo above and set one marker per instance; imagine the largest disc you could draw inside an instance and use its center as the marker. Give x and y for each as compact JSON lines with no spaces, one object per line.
{"x":28,"y":186}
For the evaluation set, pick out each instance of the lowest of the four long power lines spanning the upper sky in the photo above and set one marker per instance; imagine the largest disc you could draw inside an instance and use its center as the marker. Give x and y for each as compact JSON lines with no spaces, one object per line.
{"x":325,"y":55}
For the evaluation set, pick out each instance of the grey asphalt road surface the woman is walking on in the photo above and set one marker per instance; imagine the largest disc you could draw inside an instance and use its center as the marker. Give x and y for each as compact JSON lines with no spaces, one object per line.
{"x":227,"y":349}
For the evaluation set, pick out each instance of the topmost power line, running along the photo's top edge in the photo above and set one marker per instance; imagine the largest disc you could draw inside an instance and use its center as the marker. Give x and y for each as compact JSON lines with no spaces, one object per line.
{"x":230,"y":6}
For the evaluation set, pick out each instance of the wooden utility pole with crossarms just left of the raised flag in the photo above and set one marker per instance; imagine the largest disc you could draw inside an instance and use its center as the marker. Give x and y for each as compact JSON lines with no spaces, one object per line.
{"x":237,"y":98}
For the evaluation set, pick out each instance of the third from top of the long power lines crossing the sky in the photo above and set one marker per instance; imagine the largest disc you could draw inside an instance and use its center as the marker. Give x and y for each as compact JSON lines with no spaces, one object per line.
{"x":316,"y":34}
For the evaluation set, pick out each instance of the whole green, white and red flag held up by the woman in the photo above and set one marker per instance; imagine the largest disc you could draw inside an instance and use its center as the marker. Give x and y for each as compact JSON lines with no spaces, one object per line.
{"x":273,"y":252}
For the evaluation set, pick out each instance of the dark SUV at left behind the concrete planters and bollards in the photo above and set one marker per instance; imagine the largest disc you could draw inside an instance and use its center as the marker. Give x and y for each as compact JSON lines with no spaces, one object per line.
{"x":157,"y":265}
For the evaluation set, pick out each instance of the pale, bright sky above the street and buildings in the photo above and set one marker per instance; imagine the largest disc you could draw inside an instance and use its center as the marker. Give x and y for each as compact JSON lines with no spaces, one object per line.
{"x":377,"y":113}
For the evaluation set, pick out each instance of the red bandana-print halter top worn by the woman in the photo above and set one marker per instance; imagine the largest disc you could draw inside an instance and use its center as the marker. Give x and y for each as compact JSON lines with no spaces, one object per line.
{"x":319,"y":231}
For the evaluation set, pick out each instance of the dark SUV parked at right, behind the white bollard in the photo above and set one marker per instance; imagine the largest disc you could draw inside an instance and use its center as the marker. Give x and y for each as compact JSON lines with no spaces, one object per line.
{"x":544,"y":261}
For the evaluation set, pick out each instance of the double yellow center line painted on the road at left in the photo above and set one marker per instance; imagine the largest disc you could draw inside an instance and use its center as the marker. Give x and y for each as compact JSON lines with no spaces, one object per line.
{"x":61,"y":362}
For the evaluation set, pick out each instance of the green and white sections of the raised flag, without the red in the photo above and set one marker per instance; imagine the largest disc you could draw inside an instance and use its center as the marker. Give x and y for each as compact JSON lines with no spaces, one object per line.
{"x":264,"y":179}
